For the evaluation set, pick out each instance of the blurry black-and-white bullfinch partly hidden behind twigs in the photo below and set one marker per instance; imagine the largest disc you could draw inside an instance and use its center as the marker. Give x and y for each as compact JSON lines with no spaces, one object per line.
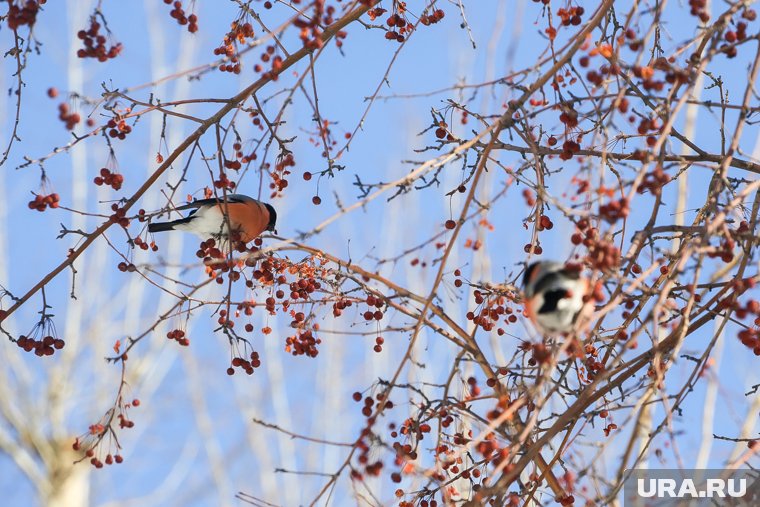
{"x":554,"y":296}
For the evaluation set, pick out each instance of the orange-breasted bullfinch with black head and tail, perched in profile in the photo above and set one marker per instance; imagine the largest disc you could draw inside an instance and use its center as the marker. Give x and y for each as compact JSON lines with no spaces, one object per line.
{"x":246,"y":216}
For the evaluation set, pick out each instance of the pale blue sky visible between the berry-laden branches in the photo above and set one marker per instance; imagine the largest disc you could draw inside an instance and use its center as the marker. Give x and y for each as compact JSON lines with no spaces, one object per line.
{"x":193,"y":417}
